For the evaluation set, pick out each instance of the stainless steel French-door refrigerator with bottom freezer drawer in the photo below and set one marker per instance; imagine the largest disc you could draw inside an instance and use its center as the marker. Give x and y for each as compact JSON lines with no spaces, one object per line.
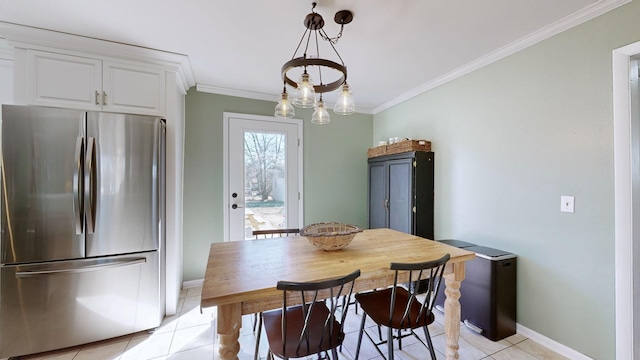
{"x":82,"y":228}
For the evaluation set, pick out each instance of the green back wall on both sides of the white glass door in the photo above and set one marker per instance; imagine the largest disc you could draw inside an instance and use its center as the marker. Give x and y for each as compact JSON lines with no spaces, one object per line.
{"x":335,"y":170}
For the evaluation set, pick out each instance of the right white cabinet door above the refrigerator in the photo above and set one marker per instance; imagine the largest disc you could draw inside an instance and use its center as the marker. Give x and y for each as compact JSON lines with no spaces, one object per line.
{"x":133,"y":89}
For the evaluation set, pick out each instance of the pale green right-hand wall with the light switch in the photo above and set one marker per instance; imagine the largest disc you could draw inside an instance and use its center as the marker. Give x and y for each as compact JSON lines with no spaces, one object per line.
{"x":510,"y":139}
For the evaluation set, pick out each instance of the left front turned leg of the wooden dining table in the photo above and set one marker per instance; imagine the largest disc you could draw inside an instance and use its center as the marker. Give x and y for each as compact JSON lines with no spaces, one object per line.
{"x":229,"y":323}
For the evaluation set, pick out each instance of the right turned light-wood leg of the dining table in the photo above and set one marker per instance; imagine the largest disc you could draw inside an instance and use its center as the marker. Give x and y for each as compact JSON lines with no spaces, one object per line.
{"x":452,"y":310}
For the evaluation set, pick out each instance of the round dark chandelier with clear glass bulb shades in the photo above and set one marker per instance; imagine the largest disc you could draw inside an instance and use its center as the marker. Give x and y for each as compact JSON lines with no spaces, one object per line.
{"x":305,"y":88}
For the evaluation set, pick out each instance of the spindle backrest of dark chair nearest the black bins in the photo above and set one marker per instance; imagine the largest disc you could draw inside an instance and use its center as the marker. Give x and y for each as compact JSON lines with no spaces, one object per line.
{"x":424,"y":278}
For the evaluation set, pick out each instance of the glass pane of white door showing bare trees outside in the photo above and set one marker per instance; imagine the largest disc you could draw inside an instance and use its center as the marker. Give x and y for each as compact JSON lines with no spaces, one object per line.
{"x":265,"y":176}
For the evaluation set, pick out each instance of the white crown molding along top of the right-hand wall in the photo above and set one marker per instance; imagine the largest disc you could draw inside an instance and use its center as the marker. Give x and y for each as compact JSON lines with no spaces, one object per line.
{"x":590,"y":12}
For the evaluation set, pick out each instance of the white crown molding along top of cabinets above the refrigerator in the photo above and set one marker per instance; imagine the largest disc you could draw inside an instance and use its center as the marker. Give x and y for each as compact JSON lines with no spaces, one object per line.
{"x":21,"y":36}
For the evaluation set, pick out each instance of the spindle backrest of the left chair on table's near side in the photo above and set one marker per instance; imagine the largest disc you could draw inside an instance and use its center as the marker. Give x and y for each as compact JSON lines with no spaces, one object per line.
{"x":322,"y":329}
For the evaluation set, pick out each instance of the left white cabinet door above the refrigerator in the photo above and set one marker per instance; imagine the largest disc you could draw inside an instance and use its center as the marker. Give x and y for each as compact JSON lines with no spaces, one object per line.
{"x":63,"y":81}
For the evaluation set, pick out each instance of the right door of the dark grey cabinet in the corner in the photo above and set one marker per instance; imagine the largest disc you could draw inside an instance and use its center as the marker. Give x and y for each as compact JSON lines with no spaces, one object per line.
{"x":400,"y":195}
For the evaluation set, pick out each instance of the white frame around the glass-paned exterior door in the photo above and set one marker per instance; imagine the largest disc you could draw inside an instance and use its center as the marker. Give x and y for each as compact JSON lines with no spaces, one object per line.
{"x":225,"y":126}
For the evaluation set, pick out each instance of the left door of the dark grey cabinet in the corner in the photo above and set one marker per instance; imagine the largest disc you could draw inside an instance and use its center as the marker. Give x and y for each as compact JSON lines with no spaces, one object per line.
{"x":377,"y":195}
